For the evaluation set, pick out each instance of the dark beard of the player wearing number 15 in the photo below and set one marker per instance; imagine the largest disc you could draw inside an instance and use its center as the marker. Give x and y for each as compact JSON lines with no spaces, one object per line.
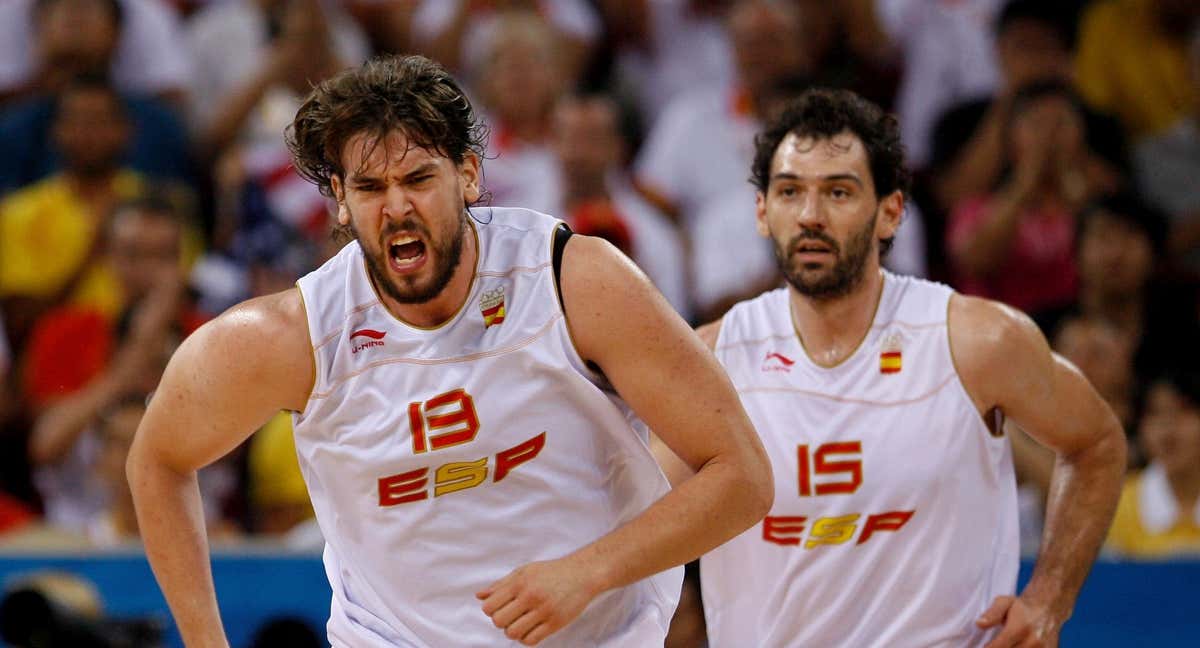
{"x":848,"y":271}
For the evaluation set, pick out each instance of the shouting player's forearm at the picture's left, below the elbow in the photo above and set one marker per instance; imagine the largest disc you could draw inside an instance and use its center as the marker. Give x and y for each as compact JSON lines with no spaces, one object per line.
{"x":171,"y":521}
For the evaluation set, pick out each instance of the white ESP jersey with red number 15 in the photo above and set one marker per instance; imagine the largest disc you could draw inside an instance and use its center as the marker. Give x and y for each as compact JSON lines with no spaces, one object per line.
{"x":895,"y":521}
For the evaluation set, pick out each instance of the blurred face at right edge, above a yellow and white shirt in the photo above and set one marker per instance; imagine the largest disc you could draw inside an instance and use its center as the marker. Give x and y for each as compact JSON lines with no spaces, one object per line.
{"x":1171,"y":430}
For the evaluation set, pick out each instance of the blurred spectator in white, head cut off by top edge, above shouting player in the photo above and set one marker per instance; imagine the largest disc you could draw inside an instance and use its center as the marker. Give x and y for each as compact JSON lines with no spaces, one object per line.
{"x":454,"y":32}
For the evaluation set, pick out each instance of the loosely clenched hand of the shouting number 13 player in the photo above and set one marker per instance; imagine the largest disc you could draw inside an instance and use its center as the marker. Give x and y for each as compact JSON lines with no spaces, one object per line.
{"x":538,"y":599}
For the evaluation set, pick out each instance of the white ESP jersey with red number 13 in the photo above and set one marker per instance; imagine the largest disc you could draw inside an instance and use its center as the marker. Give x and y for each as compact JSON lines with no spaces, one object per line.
{"x":439,"y":460}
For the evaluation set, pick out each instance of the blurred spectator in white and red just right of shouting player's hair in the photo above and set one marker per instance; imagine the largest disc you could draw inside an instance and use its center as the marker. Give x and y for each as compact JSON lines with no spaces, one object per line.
{"x":520,"y":81}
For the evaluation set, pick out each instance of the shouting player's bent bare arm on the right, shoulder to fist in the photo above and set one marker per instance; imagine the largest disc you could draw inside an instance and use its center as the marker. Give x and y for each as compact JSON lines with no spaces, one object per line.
{"x":676,"y":386}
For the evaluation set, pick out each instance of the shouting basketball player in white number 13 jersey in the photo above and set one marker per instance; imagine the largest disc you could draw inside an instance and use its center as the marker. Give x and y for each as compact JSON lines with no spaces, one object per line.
{"x":459,"y":382}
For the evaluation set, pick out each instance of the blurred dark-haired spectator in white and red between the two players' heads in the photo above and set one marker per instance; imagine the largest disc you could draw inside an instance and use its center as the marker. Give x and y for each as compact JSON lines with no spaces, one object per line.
{"x":598,"y":197}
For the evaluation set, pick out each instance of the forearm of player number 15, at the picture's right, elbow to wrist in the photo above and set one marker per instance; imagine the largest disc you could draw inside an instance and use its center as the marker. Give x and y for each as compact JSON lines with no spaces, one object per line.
{"x":1083,"y":499}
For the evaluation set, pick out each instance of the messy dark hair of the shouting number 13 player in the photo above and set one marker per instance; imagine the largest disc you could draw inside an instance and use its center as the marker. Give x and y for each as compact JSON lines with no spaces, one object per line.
{"x":409,"y":94}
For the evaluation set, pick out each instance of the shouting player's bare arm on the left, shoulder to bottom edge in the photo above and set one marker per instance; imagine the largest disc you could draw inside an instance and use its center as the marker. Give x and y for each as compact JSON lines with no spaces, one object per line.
{"x":229,"y":379}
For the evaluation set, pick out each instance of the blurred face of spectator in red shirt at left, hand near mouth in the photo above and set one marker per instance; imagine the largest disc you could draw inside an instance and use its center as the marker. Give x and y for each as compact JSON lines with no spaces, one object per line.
{"x":143,"y":248}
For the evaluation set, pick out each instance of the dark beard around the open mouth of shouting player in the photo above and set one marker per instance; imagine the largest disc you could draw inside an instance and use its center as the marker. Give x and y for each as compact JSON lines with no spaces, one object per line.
{"x":443,"y":256}
